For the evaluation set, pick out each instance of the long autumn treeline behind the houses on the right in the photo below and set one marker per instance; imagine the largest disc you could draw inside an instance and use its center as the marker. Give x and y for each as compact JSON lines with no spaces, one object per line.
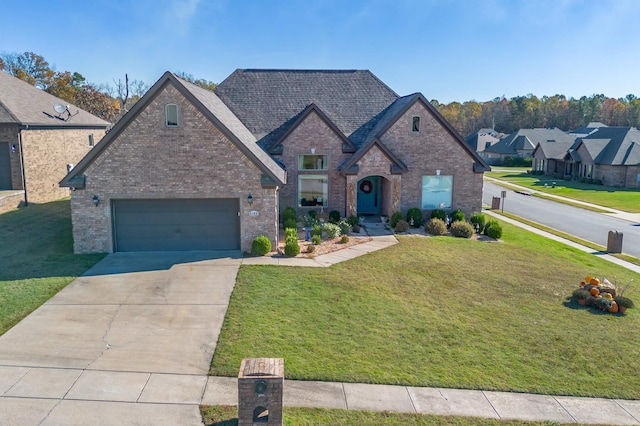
{"x":508,"y":115}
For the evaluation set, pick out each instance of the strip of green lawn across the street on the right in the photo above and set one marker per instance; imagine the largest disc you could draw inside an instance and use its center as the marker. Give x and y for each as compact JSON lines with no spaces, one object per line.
{"x":615,"y":198}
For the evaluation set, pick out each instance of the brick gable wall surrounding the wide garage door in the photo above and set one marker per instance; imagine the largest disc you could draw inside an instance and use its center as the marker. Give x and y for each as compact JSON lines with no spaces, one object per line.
{"x":149,"y":160}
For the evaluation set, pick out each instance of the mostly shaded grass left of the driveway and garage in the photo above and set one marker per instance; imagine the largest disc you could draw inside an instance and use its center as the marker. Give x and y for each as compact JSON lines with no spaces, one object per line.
{"x":36,"y":248}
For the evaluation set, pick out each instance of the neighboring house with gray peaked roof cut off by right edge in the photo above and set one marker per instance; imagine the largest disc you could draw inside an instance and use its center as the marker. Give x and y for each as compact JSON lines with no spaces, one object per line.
{"x":611,"y":155}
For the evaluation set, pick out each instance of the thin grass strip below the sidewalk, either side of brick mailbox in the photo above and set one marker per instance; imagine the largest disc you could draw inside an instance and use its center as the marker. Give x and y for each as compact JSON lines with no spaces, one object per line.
{"x":223,"y":415}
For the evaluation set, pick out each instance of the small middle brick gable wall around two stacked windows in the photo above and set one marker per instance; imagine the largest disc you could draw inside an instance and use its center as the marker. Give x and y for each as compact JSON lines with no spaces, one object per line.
{"x":313,"y":133}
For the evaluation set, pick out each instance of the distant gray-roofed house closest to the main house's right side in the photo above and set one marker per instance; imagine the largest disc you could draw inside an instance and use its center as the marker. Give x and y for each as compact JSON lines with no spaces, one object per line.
{"x":522,"y":143}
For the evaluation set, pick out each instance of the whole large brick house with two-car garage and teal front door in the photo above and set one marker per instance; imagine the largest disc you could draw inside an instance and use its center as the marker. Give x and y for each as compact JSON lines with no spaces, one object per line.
{"x":188,"y":168}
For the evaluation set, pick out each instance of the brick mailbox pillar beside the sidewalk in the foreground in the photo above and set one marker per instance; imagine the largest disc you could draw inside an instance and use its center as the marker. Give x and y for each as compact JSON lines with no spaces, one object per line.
{"x":260,"y":391}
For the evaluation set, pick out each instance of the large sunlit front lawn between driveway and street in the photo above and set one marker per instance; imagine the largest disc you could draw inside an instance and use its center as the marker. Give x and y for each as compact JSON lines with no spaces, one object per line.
{"x":440,"y":312}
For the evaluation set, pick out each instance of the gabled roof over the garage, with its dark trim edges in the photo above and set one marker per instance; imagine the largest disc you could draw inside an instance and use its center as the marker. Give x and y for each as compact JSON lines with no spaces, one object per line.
{"x":211,"y":107}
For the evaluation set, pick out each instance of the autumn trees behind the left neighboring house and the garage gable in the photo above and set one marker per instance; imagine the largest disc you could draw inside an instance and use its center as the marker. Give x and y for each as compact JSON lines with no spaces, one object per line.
{"x":109,"y":102}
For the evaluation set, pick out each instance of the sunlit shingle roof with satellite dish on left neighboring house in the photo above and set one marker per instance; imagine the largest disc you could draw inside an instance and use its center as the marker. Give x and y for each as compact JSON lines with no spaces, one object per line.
{"x":22,"y":103}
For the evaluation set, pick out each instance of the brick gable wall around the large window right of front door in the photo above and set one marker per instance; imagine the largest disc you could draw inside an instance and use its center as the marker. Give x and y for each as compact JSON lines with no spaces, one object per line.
{"x":427,"y":151}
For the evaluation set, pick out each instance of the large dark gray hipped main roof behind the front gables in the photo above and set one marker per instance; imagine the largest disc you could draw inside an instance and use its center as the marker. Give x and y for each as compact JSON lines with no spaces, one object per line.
{"x":266,"y":100}
